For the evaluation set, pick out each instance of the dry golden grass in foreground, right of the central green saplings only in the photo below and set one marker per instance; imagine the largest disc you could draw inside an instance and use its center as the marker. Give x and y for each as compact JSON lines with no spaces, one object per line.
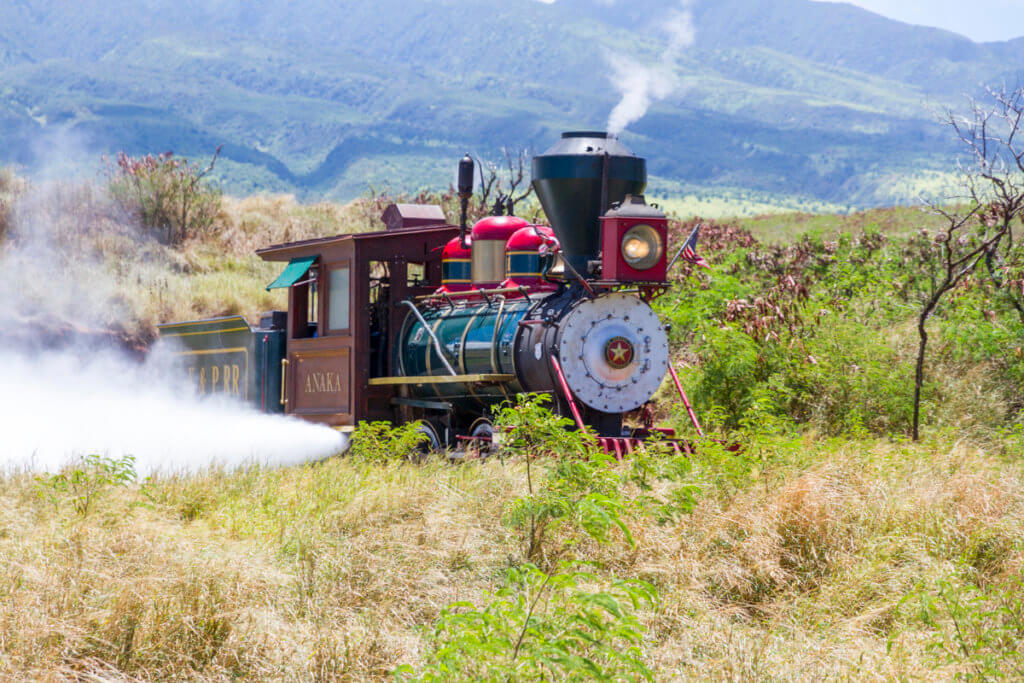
{"x":801,"y":579}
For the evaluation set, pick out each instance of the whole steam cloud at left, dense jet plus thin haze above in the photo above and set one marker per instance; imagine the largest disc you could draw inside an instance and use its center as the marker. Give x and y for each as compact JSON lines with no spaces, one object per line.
{"x":62,"y":399}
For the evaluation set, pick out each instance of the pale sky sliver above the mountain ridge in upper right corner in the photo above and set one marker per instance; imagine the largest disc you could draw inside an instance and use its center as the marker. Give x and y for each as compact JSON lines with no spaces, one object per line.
{"x":978,"y":20}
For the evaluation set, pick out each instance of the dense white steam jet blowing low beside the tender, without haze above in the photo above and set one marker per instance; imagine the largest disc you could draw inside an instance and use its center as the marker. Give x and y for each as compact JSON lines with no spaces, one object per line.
{"x":58,"y":407}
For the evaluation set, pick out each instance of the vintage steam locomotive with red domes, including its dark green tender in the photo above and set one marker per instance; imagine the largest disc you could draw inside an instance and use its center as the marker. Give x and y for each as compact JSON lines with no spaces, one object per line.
{"x":433,"y":322}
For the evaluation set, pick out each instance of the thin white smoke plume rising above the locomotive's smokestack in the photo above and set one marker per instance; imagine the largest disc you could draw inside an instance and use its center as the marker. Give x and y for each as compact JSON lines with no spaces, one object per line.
{"x":643,"y":84}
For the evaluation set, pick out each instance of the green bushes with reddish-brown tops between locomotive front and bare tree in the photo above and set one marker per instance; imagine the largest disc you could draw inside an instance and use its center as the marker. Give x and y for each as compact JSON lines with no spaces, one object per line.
{"x":805,"y":331}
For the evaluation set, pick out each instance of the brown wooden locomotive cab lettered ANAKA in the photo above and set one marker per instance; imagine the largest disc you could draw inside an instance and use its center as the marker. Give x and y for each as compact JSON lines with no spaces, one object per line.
{"x":329,"y":364}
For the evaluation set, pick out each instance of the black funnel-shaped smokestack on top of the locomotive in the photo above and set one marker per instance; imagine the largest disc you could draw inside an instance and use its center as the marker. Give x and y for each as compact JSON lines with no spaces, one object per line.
{"x":577,"y":181}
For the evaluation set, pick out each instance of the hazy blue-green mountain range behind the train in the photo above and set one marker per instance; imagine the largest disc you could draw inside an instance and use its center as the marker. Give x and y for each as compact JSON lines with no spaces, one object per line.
{"x":823,"y":102}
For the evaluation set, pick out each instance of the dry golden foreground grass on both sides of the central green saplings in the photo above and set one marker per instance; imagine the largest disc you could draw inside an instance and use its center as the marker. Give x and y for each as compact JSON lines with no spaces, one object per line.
{"x":333,"y":571}
